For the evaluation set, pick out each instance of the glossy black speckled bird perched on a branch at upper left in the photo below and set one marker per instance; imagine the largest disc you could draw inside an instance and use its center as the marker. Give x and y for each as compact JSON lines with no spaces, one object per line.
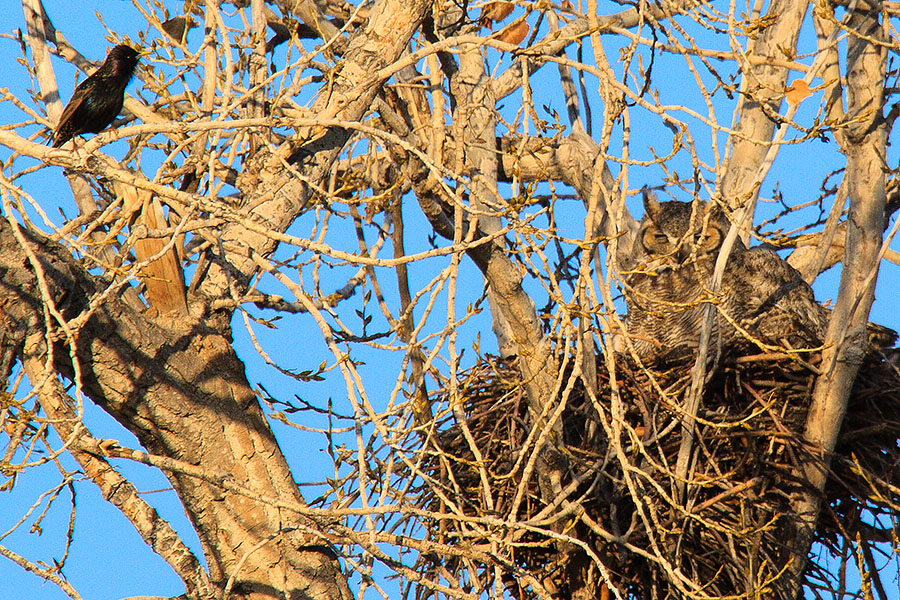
{"x":98,"y":99}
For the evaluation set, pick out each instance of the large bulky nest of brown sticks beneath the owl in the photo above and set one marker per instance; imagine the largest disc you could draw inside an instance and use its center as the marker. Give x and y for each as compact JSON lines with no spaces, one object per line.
{"x":727,"y":524}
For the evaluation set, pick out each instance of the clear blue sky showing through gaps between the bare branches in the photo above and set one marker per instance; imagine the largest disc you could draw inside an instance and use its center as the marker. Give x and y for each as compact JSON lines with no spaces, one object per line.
{"x":107,"y":559}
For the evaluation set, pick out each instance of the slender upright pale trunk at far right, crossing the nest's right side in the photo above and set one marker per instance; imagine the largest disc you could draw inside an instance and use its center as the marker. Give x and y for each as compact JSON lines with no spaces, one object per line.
{"x":846,"y":340}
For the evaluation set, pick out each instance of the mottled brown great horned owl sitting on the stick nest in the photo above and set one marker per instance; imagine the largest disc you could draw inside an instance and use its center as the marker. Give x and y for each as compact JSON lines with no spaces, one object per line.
{"x":674,"y":256}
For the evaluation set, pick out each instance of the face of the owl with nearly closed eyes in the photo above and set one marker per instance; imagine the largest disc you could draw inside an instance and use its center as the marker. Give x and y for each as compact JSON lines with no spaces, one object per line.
{"x":673,"y":234}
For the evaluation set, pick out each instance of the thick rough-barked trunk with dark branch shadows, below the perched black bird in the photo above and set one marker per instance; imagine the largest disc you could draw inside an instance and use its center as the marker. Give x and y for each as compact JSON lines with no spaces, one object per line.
{"x":183,"y":392}
